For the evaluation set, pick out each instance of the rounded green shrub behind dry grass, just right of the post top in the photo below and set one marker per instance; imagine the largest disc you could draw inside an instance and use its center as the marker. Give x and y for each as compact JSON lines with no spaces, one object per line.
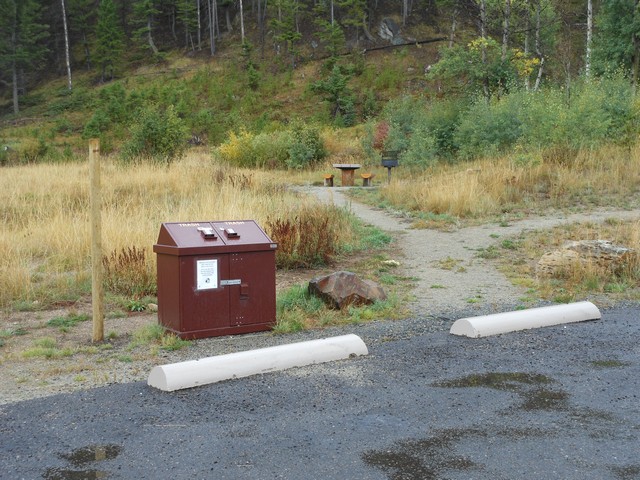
{"x":159,"y":135}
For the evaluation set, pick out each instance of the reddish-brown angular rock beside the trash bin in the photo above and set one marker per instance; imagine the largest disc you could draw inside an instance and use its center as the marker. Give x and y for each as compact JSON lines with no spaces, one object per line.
{"x":342,"y":289}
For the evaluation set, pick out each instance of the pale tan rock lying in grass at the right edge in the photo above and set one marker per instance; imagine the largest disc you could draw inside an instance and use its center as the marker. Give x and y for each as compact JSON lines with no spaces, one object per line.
{"x":600,"y":253}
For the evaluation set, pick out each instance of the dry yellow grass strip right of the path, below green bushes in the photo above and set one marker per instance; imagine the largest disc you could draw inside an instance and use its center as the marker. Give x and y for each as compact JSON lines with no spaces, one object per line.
{"x":496,"y":186}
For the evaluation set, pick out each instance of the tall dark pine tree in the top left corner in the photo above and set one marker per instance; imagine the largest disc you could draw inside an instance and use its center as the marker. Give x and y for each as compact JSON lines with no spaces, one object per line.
{"x":21,"y":42}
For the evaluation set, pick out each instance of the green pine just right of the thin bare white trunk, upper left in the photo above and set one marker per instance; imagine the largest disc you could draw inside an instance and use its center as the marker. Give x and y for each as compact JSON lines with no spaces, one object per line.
{"x":109,"y":40}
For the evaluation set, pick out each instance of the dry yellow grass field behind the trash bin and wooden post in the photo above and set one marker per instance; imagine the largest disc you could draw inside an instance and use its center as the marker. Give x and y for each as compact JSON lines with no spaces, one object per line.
{"x":44,"y":209}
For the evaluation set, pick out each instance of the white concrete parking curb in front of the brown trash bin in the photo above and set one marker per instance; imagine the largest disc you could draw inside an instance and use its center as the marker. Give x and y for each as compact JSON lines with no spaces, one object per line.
{"x":204,"y":371}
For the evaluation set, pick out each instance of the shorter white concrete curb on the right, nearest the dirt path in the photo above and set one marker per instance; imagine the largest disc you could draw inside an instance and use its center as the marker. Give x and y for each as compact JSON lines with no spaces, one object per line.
{"x":486,"y":325}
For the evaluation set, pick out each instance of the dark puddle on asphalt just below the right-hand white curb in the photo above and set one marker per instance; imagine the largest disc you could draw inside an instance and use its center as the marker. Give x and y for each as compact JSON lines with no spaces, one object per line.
{"x":532,"y":387}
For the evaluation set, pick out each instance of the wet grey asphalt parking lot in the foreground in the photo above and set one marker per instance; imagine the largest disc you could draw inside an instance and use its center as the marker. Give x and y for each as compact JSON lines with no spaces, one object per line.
{"x":553,"y":403}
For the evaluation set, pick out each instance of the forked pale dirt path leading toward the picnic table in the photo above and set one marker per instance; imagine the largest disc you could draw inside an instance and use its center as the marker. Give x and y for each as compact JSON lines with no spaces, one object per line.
{"x":449,"y":275}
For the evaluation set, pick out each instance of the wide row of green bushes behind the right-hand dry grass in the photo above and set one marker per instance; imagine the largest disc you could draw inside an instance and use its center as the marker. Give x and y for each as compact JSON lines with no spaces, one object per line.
{"x":595,"y":113}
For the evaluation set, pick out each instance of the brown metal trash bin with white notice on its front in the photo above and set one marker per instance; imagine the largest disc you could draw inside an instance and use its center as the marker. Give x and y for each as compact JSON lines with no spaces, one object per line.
{"x":215,"y":278}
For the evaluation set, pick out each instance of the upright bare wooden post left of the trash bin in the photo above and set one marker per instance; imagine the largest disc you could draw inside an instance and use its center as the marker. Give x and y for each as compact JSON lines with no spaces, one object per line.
{"x":97,"y":292}
